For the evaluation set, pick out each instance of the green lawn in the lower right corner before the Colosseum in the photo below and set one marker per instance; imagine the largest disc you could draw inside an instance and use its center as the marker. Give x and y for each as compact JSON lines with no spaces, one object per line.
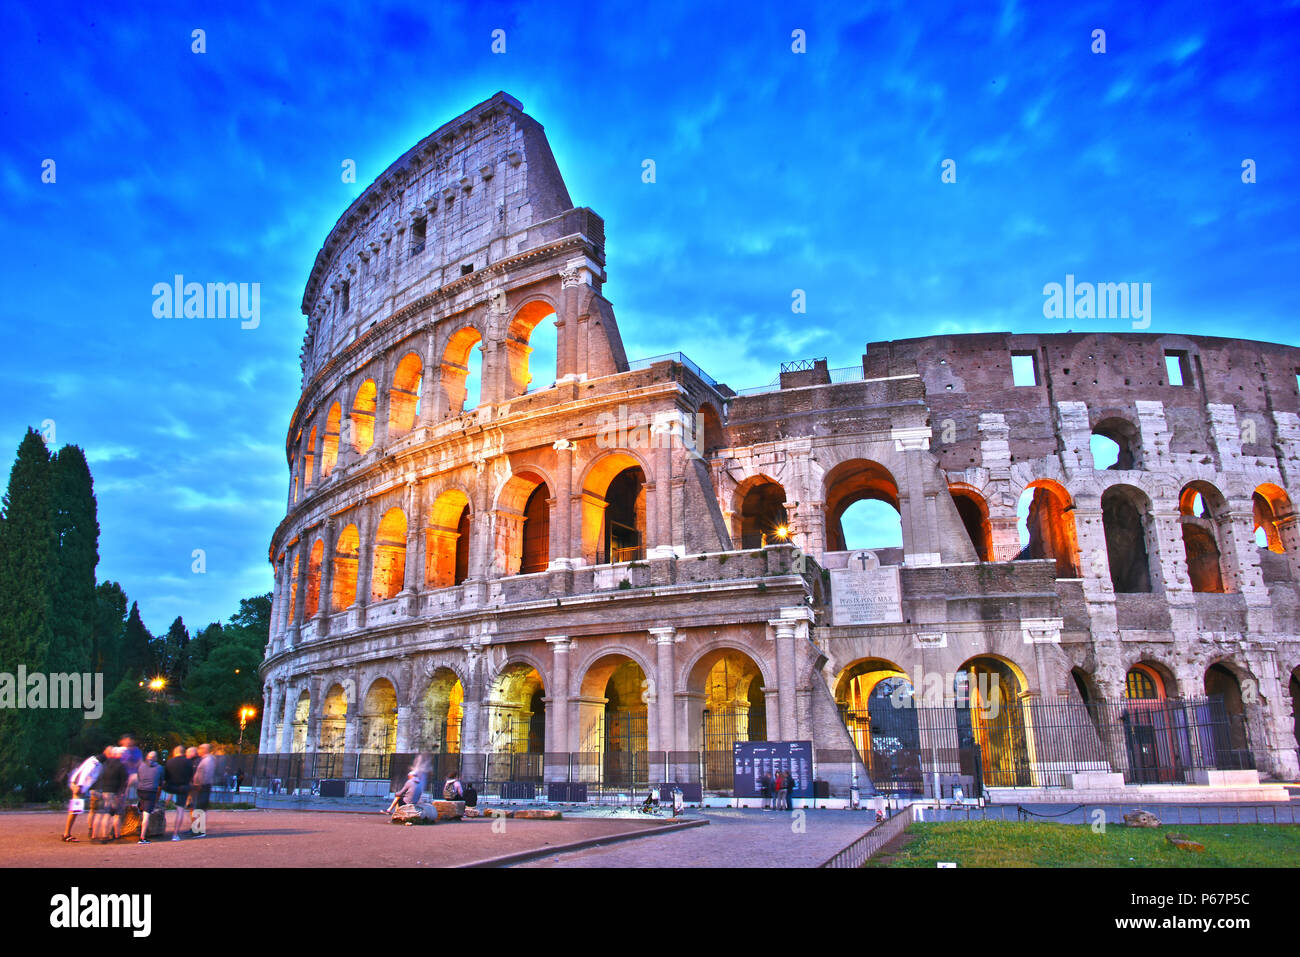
{"x":1011,"y":845}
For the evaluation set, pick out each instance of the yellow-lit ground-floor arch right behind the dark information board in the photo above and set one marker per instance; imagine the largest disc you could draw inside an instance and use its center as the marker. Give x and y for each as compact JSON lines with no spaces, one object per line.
{"x":727,"y":691}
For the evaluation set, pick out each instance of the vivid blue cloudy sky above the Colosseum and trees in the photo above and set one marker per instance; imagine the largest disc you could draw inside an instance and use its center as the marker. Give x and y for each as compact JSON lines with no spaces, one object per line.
{"x":775,"y":171}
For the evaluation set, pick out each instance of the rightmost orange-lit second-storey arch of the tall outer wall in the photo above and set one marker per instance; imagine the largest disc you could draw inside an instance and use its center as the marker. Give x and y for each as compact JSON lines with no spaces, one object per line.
{"x":614,"y":512}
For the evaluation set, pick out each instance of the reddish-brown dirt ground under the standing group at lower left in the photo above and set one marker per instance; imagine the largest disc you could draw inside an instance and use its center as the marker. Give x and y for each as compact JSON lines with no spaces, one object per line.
{"x":296,"y":839}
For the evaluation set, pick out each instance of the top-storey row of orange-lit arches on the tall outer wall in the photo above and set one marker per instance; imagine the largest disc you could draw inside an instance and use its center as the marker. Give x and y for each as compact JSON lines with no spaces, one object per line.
{"x":352,"y":421}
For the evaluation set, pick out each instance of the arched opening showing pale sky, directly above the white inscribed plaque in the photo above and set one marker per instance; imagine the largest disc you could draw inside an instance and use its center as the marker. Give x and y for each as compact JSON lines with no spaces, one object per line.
{"x":863,"y":508}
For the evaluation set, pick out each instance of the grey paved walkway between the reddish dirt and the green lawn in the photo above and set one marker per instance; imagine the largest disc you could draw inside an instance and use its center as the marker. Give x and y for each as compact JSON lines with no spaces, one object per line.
{"x":735,"y":838}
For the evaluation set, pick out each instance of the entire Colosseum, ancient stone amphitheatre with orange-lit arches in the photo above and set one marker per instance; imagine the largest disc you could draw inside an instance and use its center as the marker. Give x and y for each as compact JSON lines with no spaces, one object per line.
{"x":614,"y":574}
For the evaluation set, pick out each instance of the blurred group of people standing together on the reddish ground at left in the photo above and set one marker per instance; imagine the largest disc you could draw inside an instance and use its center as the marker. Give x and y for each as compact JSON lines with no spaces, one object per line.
{"x":103,"y":783}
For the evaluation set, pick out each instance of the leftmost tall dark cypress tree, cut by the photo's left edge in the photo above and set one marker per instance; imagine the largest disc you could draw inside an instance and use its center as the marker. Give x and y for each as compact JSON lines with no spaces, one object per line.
{"x":28,"y":575}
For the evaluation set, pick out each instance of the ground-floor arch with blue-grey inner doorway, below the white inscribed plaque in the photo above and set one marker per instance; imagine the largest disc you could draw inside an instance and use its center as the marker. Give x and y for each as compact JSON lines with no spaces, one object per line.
{"x":878,"y":705}
